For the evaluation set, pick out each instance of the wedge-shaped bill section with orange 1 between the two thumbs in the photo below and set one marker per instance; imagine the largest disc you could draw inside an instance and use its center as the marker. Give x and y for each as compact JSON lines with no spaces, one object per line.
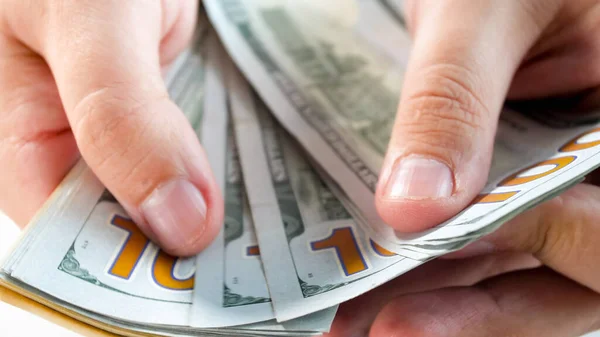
{"x":314,"y":254}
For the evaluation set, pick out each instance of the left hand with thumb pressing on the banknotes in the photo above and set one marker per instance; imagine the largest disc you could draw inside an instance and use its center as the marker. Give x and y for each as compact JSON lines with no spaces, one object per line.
{"x":81,"y":77}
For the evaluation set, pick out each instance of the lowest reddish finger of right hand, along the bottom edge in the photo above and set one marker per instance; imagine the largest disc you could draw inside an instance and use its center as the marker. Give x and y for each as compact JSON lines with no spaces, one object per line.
{"x":531,"y":303}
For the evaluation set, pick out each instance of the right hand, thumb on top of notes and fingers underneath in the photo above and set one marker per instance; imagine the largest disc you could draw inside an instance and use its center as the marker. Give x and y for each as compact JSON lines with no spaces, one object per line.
{"x":468,"y":57}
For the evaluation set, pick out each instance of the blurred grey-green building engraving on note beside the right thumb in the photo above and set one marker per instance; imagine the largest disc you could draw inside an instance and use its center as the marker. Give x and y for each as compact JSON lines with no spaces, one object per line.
{"x":360,"y":99}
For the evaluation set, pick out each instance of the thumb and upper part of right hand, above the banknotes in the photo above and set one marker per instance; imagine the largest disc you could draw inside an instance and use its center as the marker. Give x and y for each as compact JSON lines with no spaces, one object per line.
{"x":467,"y":58}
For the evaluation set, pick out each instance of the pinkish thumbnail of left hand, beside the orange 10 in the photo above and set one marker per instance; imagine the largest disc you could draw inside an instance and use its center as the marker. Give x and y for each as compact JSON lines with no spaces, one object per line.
{"x":176,"y":213}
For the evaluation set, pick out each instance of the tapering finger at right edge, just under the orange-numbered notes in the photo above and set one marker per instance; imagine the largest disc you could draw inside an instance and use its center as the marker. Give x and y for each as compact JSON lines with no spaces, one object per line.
{"x":562,"y":233}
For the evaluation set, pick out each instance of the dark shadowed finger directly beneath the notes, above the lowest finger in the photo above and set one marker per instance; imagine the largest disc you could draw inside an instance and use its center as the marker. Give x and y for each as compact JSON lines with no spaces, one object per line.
{"x":355,"y":317}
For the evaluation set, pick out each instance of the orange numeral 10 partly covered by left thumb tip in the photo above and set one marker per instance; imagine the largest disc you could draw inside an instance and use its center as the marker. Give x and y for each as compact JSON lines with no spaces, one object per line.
{"x":132,"y":252}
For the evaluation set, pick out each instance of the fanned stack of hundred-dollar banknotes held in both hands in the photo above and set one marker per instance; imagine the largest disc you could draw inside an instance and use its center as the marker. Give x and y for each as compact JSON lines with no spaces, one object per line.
{"x":294,"y":107}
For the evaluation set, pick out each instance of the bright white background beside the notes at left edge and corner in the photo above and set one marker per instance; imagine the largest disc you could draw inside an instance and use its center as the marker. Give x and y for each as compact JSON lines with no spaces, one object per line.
{"x":15,"y":322}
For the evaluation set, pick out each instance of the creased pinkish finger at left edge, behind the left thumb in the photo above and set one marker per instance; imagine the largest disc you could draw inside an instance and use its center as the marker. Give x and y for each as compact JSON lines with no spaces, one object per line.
{"x":37,"y":147}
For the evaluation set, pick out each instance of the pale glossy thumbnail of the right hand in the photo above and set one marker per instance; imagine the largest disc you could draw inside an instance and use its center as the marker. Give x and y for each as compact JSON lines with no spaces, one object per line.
{"x":420,"y":178}
